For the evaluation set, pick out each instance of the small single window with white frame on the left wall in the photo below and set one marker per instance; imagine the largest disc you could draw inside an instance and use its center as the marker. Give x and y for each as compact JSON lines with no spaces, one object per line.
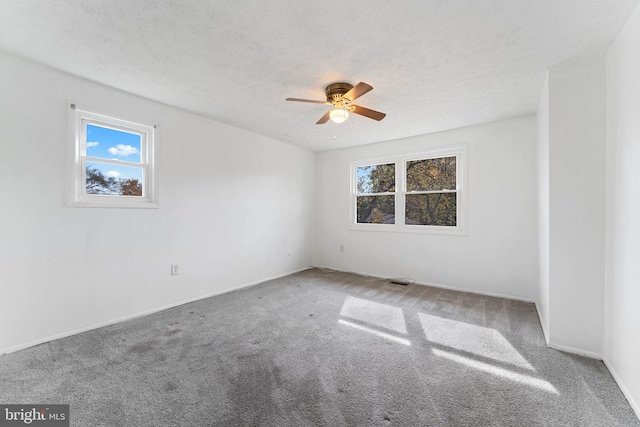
{"x":112,"y":163}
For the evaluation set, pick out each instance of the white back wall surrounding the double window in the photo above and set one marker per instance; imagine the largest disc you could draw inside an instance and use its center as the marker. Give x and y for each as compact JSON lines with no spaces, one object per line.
{"x":499,"y":253}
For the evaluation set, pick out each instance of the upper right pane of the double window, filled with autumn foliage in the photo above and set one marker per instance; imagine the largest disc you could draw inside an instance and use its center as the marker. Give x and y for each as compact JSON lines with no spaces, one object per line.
{"x":432,"y":174}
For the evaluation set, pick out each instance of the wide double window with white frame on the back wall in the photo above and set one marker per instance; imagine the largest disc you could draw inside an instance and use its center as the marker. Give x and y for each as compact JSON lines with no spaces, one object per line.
{"x":429,"y":197}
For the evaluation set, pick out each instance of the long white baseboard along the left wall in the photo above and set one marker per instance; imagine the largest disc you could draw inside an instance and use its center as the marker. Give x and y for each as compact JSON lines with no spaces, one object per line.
{"x":25,"y":345}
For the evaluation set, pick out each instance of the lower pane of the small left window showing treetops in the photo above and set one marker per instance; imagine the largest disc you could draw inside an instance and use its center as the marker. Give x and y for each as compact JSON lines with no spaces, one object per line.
{"x":113,"y":180}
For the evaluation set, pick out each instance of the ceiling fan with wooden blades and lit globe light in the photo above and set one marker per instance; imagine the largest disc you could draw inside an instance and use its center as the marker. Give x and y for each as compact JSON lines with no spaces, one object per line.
{"x":341,"y":96}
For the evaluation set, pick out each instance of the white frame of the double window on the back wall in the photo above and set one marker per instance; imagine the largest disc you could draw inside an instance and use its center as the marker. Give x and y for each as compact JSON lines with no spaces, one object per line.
{"x":459,"y":151}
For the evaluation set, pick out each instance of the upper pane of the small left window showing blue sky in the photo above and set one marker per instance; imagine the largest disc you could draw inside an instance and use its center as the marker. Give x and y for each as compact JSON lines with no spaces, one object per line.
{"x":108,"y":143}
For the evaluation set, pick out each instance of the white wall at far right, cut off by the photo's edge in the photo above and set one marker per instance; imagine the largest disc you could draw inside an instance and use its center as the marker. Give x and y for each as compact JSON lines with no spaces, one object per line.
{"x":622,"y":292}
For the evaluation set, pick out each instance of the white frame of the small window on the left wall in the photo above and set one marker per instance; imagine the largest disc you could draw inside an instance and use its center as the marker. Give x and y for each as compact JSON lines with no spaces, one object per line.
{"x":79,"y":117}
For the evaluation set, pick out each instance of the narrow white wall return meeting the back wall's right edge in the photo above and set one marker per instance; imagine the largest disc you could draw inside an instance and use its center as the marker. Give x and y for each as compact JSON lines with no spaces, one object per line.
{"x":543,"y":206}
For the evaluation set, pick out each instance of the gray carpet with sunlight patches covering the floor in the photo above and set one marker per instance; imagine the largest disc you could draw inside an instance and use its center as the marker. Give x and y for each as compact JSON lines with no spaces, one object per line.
{"x":321,"y":348}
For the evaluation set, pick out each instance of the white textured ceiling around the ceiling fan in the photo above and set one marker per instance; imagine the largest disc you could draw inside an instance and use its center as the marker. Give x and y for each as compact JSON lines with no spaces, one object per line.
{"x":434,"y":65}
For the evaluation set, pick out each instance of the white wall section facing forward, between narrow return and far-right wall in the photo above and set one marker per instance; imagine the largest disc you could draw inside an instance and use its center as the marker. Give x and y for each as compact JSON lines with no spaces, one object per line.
{"x":577,"y":133}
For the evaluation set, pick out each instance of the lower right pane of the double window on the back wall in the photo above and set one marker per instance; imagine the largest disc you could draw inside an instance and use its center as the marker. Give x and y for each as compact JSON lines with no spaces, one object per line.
{"x":431,"y":209}
